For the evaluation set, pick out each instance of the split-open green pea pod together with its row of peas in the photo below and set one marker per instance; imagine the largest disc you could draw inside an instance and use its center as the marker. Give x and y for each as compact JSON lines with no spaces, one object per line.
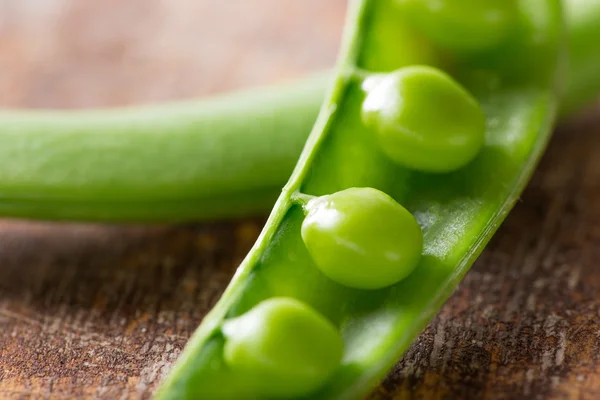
{"x":427,"y":137}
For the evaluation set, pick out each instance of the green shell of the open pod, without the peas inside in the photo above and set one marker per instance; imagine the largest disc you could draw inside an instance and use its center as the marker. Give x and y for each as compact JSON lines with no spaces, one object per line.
{"x":458,"y":212}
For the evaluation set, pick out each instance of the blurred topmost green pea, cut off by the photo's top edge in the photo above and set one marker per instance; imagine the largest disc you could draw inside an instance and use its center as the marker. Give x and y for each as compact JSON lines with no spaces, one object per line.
{"x":467,"y":25}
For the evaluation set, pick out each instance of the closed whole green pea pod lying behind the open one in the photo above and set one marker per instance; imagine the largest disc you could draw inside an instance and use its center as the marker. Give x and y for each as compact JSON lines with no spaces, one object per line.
{"x":216,"y":158}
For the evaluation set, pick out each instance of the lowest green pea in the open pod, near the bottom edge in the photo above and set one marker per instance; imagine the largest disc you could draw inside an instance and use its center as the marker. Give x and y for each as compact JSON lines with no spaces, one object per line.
{"x":283,"y":347}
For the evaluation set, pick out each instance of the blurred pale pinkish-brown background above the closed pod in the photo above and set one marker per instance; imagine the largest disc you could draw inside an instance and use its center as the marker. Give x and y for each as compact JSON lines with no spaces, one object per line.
{"x":73,"y":53}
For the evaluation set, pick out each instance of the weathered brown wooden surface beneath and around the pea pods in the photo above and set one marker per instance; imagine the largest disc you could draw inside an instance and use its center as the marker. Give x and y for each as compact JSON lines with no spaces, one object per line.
{"x":90,"y":311}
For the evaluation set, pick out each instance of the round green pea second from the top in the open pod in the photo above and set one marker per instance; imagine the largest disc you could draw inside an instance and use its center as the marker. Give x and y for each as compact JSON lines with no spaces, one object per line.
{"x":424,"y":120}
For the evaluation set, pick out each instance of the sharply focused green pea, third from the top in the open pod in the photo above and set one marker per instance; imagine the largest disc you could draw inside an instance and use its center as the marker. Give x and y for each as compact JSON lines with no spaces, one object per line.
{"x":362,"y":238}
